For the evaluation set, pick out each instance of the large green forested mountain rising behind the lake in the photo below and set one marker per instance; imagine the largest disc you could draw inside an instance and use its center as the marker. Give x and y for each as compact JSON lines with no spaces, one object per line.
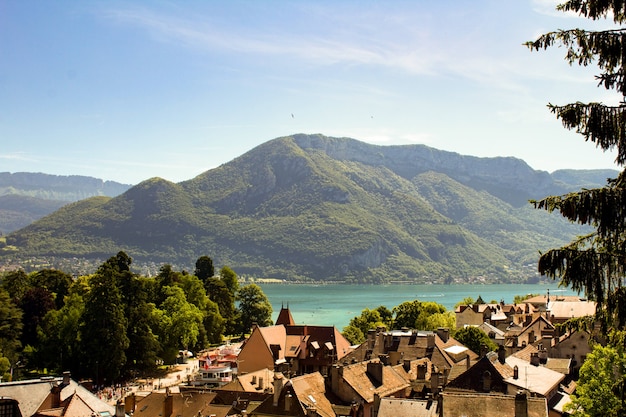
{"x":310,"y":207}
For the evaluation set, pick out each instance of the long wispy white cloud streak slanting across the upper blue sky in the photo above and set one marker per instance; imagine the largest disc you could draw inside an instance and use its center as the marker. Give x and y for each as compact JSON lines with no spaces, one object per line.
{"x":374,"y":48}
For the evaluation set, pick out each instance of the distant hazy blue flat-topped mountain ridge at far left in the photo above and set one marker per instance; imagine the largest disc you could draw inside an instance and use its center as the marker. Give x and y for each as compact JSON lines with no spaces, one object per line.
{"x":26,"y":197}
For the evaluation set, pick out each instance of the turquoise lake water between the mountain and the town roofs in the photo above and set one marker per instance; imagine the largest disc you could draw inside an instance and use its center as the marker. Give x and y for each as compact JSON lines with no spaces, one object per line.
{"x":336,"y":304}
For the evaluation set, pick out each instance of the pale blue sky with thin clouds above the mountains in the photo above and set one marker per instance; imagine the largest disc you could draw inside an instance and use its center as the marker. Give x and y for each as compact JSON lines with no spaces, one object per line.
{"x":130,"y":90}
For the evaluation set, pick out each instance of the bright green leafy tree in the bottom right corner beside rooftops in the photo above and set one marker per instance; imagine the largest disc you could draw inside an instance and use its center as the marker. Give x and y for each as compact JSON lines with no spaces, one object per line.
{"x":600,"y":388}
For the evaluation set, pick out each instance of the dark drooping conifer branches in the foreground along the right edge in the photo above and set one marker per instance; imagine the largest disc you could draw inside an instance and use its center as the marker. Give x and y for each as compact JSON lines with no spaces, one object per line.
{"x":594,"y":263}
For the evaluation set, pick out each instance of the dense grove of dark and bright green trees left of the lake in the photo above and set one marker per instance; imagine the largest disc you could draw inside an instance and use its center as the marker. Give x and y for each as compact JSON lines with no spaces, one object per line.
{"x":116,"y":324}
